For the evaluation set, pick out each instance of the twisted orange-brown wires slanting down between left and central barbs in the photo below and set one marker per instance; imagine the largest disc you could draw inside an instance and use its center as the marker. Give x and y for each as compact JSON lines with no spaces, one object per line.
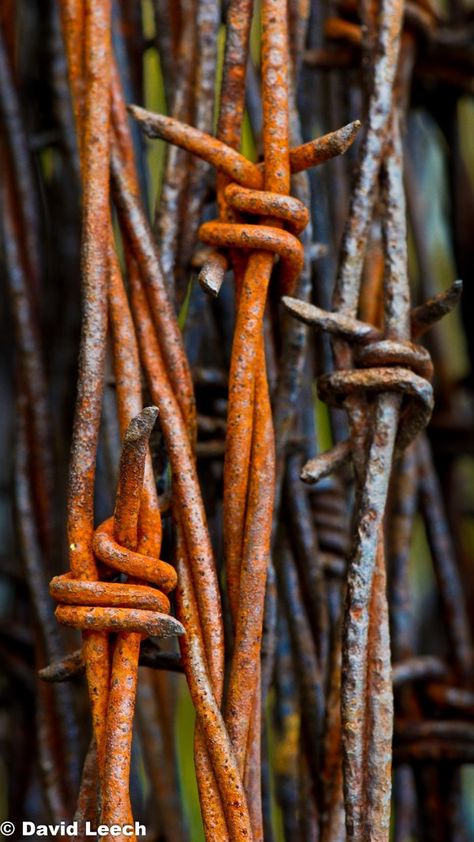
{"x":222,"y":798}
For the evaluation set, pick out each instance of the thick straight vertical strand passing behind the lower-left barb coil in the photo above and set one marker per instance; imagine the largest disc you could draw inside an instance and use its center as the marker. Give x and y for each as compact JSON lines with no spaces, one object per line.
{"x":87,"y":29}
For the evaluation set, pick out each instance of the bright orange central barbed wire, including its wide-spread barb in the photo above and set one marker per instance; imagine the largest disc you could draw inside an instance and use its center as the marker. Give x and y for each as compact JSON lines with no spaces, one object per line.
{"x":249,"y":462}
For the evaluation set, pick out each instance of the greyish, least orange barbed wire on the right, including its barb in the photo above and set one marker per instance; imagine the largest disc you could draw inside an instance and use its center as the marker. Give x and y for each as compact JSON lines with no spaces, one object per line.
{"x":367,"y":752}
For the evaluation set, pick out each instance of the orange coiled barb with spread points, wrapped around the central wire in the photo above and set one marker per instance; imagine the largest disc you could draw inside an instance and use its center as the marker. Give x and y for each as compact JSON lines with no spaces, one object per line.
{"x":245,"y":194}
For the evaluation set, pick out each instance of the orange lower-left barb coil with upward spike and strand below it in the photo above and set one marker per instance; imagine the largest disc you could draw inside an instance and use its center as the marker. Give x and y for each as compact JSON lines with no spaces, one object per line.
{"x":133,"y":610}
